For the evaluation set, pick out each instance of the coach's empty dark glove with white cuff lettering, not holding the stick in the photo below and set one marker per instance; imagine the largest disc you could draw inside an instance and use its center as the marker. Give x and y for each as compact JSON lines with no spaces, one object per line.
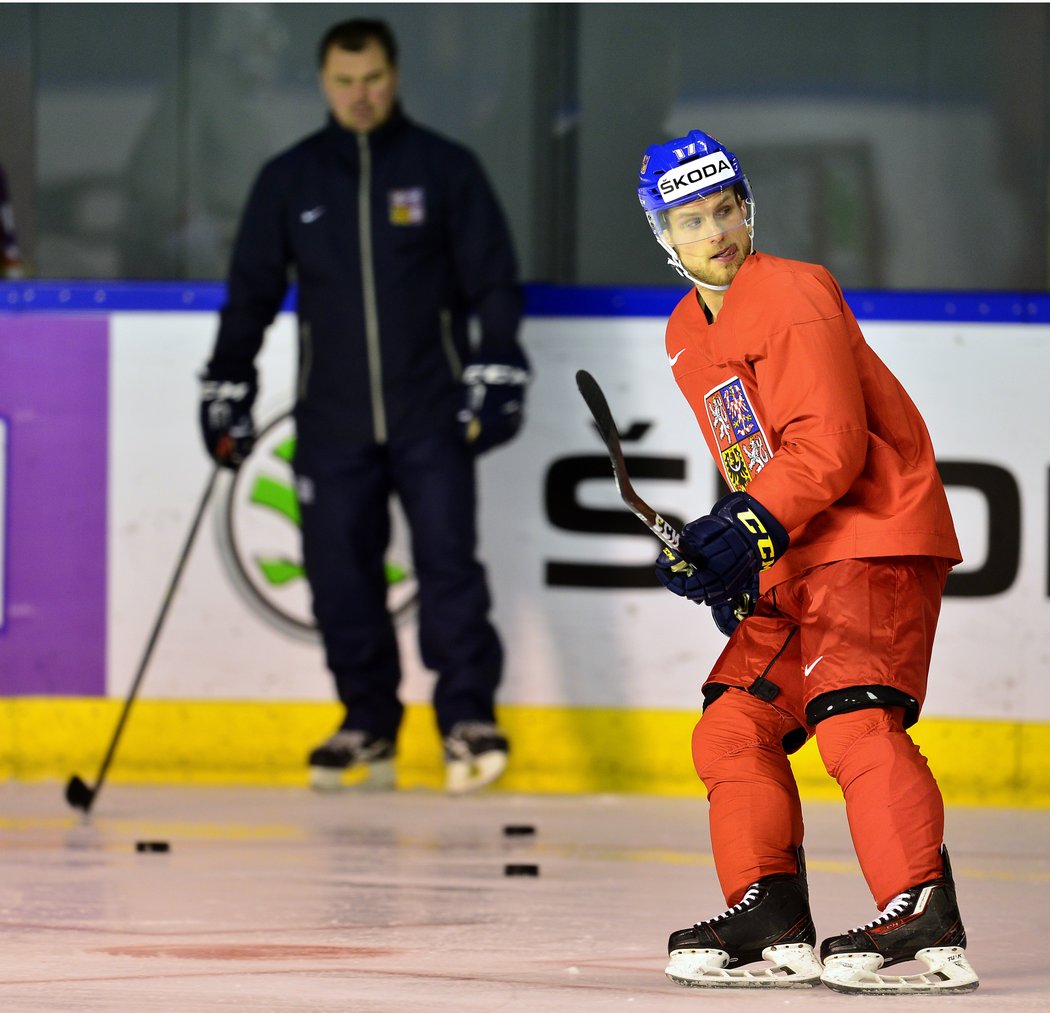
{"x":494,"y":402}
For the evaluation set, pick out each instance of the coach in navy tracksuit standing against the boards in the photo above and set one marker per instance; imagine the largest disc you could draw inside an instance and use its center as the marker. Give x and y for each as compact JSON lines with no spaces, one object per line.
{"x":395,"y":239}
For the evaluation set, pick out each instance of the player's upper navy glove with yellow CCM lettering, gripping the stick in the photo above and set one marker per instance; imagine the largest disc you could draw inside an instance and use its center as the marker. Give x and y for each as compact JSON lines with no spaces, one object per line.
{"x":721,"y":555}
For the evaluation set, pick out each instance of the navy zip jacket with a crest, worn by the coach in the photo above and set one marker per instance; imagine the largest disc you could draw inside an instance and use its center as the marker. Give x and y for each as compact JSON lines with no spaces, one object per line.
{"x":395,"y":239}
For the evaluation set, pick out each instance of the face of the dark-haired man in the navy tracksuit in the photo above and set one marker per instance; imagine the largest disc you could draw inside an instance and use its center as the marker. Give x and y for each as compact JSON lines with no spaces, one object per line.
{"x":361,"y":88}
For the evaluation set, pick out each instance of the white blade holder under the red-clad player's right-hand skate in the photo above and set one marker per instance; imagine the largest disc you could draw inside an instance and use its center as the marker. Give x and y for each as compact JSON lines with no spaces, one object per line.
{"x":857,"y":974}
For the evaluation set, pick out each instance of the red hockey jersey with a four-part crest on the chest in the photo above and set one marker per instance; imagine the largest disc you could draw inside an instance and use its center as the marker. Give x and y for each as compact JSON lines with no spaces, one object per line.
{"x":801,"y":412}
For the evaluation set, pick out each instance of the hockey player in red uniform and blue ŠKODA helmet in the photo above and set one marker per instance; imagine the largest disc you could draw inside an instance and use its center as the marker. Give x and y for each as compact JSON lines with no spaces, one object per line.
{"x":826,"y":567}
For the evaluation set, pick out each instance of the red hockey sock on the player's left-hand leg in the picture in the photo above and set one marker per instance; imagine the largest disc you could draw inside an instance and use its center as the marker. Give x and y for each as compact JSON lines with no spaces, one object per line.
{"x":757,"y":817}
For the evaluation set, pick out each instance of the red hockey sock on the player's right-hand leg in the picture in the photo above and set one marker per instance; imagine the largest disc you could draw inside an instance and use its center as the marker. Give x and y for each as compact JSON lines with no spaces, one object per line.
{"x":894,"y":805}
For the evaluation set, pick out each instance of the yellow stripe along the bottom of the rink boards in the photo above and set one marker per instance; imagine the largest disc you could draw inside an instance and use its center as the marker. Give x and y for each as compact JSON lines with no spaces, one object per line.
{"x":554,"y":750}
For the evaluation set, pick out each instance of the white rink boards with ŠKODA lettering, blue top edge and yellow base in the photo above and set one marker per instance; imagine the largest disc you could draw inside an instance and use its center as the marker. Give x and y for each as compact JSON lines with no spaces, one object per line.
{"x":102,"y":472}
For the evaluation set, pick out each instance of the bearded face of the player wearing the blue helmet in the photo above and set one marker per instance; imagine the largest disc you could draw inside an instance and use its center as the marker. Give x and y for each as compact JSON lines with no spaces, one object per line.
{"x":710,"y":237}
